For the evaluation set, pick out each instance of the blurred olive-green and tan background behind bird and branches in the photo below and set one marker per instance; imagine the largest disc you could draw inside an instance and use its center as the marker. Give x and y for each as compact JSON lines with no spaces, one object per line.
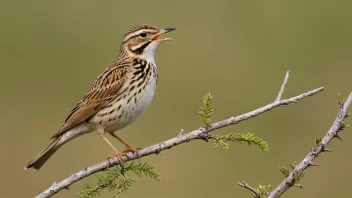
{"x":51,"y":51}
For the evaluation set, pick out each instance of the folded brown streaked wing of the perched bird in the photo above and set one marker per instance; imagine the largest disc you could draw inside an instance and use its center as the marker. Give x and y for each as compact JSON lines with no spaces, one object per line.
{"x":105,"y":88}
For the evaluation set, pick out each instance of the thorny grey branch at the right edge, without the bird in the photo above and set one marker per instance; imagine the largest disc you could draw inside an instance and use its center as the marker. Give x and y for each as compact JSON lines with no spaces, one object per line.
{"x":321,"y":147}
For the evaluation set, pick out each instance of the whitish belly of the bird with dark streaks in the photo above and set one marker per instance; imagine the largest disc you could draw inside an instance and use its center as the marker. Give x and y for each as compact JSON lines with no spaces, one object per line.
{"x":125,"y":110}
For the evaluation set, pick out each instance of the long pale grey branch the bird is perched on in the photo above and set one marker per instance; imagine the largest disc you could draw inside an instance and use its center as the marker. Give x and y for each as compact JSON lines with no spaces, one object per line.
{"x":200,"y":133}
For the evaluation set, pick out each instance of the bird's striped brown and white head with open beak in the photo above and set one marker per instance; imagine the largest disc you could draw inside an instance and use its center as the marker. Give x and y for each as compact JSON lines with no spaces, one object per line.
{"x":143,"y":40}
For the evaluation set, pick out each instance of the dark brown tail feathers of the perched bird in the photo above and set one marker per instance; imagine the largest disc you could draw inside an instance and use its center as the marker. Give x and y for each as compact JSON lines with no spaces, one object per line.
{"x":43,"y":156}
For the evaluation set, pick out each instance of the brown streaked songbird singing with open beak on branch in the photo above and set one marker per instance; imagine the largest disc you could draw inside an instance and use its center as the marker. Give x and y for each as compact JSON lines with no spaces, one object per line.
{"x":117,"y":97}
